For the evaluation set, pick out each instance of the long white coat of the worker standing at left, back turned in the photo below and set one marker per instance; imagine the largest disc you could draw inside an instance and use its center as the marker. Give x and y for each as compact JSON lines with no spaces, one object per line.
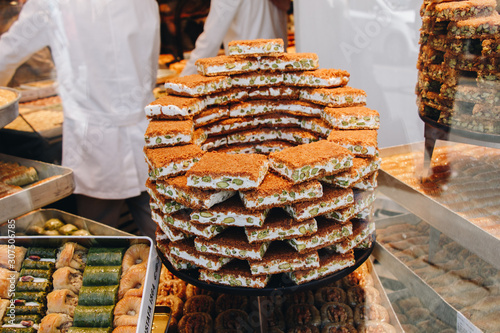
{"x":106,"y":56}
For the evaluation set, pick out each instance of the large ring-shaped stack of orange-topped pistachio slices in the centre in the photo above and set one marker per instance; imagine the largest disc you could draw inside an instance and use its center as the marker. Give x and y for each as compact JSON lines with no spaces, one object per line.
{"x":262,"y":164}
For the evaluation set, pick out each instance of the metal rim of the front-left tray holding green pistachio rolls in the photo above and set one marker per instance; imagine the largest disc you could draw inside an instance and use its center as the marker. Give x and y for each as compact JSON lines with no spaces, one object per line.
{"x":146,"y":313}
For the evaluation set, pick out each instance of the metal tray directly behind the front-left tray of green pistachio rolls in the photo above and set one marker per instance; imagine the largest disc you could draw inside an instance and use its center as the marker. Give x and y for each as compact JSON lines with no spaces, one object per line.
{"x":40,"y":216}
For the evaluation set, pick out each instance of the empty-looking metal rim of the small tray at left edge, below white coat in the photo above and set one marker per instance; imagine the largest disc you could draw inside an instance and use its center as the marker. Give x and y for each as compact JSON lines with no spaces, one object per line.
{"x":55,"y":183}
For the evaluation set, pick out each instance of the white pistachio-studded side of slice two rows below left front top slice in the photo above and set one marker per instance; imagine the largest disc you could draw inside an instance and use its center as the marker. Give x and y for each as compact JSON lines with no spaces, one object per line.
{"x":255,"y":219}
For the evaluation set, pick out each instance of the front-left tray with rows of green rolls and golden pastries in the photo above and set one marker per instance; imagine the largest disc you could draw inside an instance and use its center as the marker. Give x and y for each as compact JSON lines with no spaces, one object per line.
{"x":77,"y":284}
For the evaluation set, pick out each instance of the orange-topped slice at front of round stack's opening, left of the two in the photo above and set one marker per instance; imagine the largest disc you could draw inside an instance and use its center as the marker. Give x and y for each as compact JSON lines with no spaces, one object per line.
{"x":220,"y":171}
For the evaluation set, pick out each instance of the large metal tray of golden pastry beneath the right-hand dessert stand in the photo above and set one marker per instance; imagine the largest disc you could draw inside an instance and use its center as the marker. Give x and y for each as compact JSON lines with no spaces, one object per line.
{"x":458,"y":198}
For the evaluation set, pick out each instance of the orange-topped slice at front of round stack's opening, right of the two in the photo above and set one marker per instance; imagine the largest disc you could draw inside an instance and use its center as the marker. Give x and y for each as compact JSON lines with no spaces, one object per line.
{"x":311,"y":161}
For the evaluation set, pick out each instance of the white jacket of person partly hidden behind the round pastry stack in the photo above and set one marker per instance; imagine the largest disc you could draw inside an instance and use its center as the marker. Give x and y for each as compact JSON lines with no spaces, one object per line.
{"x":230,"y":20}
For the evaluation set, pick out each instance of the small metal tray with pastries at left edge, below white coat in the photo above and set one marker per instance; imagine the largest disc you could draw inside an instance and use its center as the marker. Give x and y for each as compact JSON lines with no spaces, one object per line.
{"x":26,"y":185}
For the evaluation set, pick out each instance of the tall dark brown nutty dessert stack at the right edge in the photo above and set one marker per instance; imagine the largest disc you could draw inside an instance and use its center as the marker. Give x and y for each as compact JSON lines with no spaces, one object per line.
{"x":459,"y":64}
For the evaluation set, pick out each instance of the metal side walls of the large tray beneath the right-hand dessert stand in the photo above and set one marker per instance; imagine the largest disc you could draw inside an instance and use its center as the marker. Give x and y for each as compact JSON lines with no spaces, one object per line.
{"x":439,"y":216}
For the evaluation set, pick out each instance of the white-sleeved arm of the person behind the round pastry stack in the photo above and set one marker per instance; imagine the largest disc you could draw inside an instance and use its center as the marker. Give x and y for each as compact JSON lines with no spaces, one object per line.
{"x":219,"y":19}
